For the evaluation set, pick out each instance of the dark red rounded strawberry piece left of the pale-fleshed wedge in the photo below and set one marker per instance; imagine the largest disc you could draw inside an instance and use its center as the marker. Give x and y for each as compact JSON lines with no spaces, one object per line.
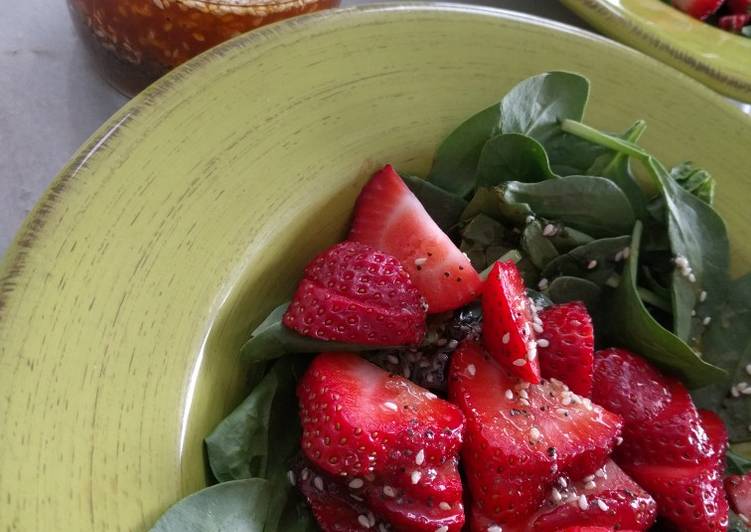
{"x":353,"y":293}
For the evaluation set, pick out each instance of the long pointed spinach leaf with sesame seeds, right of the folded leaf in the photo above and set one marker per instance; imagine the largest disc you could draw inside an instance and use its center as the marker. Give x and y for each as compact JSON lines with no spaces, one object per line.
{"x":697,"y":235}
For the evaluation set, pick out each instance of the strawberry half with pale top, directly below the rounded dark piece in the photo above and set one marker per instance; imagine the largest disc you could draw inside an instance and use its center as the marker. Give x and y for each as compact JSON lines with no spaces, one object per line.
{"x":358,"y":419}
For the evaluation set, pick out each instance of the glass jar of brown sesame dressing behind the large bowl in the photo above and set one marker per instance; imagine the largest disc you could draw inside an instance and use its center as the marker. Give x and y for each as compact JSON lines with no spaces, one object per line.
{"x":134,"y":42}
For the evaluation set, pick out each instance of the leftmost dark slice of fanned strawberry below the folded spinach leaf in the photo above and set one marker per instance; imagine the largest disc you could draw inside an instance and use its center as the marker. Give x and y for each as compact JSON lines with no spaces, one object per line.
{"x":627,"y":385}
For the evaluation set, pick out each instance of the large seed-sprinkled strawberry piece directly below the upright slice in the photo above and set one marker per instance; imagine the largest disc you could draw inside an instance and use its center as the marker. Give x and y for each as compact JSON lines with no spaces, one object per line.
{"x":521,"y":437}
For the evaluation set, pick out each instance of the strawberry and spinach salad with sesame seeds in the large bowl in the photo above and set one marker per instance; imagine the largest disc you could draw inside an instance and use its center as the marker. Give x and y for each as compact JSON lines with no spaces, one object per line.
{"x":541,"y":335}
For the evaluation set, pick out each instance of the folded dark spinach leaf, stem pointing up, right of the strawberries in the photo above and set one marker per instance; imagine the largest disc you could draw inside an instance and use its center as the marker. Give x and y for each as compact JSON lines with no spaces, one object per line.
{"x":637,"y":330}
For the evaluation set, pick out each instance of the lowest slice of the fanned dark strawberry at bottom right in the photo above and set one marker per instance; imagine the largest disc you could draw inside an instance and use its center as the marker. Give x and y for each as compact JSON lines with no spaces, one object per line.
{"x":692,"y":498}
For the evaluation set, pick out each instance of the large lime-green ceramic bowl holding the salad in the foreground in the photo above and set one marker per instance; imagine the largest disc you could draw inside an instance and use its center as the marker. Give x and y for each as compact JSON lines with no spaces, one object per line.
{"x":191,"y":213}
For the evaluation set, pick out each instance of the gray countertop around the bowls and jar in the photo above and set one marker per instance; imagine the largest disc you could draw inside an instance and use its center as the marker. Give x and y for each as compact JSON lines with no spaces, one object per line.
{"x":52,"y":99}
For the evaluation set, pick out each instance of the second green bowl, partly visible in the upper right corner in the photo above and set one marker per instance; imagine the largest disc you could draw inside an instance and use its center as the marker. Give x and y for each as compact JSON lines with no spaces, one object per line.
{"x":720,"y":59}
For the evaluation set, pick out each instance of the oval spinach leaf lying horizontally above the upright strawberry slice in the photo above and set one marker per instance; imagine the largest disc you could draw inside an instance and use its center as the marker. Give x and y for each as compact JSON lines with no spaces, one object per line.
{"x":593,"y":205}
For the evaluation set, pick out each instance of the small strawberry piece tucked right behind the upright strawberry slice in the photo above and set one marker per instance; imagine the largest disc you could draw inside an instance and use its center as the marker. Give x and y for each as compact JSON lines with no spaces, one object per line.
{"x":566,"y":346}
